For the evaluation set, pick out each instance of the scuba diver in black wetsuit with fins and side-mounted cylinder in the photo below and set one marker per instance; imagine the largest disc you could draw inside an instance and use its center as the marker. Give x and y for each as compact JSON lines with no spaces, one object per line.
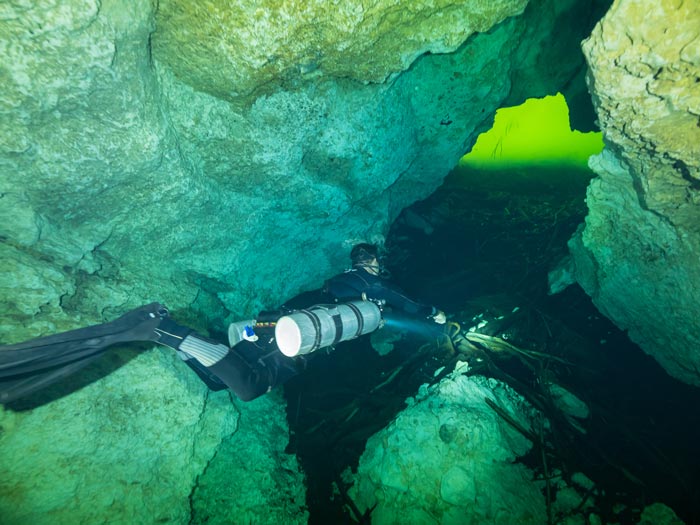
{"x":262,"y":353}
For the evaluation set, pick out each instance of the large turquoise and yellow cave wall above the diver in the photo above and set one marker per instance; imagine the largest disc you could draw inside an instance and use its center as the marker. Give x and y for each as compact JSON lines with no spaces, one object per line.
{"x":125,"y":180}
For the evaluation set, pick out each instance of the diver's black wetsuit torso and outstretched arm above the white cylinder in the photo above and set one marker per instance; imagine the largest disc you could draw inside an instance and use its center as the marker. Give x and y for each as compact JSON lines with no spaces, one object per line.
{"x":356,"y":282}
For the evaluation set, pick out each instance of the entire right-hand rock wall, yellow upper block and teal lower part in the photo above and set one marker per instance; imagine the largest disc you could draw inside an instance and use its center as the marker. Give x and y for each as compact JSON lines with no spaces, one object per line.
{"x":638,"y":254}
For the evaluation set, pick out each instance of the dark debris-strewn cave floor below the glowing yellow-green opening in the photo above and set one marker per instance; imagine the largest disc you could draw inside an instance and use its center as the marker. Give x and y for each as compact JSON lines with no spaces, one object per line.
{"x":481,"y":247}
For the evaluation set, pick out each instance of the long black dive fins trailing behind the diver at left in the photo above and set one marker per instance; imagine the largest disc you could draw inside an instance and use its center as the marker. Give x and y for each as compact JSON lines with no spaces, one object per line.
{"x":32,"y":365}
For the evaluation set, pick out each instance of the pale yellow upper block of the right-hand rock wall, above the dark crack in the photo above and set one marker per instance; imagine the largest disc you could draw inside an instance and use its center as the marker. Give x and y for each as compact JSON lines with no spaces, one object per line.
{"x":644,"y":64}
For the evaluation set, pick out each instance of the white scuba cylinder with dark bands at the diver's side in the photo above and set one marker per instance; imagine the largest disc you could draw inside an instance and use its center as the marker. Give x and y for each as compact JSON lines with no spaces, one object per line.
{"x":304,"y":331}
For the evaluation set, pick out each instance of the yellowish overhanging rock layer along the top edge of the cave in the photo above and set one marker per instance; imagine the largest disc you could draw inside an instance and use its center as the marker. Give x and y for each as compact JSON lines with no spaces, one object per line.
{"x":237,"y":50}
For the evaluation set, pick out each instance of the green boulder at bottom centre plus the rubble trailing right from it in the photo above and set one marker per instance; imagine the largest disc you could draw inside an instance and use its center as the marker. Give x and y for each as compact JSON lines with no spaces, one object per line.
{"x":455,"y":456}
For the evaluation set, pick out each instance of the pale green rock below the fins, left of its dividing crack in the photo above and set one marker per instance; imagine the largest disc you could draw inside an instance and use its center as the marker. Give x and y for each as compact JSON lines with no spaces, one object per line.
{"x":127,"y":448}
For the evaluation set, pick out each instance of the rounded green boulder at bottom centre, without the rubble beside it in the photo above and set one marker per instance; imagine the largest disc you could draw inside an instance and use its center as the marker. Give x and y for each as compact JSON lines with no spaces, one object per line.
{"x":448,"y":458}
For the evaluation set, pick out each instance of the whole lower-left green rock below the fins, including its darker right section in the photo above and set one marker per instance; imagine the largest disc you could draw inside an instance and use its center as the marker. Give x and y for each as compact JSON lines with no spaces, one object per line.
{"x":145,"y":447}
